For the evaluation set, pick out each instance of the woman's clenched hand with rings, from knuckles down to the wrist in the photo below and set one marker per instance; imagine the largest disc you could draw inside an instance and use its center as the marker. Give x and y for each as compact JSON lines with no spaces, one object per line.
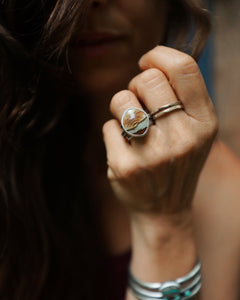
{"x":158,"y":173}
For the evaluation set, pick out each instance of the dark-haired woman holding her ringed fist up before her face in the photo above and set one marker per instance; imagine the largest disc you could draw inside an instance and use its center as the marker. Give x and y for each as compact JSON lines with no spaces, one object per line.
{"x":62,"y":64}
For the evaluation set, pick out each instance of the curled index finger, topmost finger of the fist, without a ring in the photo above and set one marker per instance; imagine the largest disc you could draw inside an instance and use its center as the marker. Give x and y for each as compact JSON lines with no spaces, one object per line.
{"x":184,"y":76}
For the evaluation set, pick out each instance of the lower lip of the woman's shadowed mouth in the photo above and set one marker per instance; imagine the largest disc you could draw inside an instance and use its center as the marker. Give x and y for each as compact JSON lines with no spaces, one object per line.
{"x":98,"y":49}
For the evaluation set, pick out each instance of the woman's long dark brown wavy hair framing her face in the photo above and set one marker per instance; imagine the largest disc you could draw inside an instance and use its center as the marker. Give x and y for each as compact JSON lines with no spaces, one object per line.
{"x":49,"y":247}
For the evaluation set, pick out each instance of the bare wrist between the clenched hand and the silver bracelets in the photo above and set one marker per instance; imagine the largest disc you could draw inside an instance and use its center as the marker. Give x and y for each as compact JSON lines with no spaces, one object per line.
{"x":163,"y":248}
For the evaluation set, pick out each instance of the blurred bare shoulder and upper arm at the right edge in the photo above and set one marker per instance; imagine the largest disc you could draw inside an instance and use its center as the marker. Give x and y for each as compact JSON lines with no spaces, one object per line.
{"x":216,"y":215}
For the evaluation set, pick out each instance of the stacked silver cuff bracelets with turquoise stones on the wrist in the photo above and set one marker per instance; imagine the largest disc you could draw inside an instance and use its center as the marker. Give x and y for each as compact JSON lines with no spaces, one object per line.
{"x":182,"y":288}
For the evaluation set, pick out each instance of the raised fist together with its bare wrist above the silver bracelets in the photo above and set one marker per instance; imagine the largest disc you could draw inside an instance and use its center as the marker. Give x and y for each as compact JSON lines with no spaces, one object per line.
{"x":155,"y":176}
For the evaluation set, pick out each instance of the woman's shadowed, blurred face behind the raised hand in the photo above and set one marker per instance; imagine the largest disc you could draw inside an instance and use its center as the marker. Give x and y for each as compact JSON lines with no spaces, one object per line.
{"x":104,"y":55}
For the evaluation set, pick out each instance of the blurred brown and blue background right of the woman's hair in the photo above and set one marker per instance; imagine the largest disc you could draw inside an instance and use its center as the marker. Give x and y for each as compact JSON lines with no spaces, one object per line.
{"x":220,"y":64}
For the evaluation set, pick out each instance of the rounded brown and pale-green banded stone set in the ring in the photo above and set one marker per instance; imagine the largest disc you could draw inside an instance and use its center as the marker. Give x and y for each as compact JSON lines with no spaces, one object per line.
{"x":135,"y":122}
